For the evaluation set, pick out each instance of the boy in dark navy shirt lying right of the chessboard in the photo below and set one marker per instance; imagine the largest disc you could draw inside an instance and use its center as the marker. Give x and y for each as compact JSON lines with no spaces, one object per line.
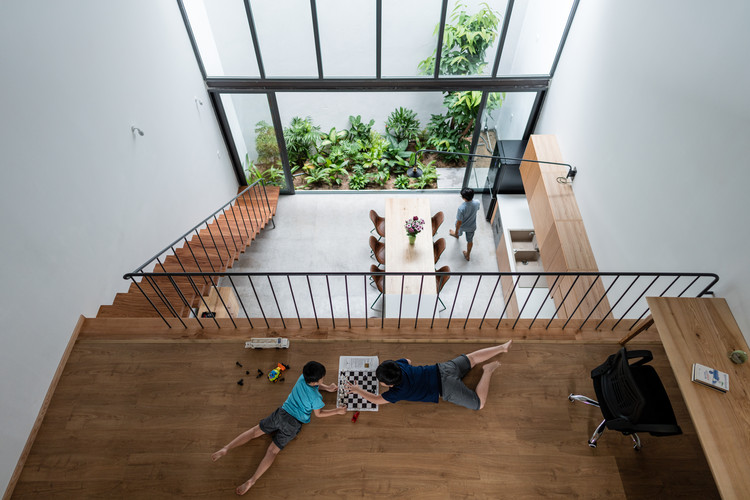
{"x":430,"y":382}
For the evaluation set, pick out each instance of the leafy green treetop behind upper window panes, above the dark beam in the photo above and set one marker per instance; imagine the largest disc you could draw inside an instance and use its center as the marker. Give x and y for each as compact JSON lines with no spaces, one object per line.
{"x":466,"y":39}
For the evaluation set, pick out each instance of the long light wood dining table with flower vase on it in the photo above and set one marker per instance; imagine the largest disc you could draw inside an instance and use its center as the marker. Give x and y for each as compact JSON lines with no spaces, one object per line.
{"x":400,"y":256}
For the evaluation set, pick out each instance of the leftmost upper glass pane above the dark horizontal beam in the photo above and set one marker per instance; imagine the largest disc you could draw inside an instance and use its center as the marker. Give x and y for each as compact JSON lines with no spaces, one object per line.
{"x":222,"y":34}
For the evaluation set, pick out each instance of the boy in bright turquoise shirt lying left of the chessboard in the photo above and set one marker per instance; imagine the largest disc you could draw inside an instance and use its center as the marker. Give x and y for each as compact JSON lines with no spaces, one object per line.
{"x":287,"y":420}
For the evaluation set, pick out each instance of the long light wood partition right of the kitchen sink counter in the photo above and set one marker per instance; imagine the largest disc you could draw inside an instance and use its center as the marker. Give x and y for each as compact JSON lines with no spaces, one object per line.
{"x":561,"y":235}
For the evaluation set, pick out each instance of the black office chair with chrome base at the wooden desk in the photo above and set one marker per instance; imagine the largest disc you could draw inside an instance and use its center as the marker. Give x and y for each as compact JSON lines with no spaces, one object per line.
{"x":631,"y":397}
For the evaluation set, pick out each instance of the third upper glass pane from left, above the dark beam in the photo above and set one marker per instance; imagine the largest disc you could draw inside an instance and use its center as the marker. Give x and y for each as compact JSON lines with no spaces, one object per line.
{"x":347,"y":37}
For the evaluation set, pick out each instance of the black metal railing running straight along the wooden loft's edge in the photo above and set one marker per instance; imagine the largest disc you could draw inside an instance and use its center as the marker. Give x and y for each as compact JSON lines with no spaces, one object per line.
{"x":343,"y":296}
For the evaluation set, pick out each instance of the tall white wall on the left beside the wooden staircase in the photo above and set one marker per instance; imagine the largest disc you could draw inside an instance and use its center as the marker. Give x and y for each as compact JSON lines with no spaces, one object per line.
{"x":82,"y":200}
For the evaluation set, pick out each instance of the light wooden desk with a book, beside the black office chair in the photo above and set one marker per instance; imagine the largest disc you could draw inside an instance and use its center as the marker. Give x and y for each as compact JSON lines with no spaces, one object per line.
{"x":704,"y":331}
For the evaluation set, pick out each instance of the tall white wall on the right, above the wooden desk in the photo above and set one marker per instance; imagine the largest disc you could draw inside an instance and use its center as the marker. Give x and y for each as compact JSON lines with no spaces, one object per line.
{"x":650,"y":103}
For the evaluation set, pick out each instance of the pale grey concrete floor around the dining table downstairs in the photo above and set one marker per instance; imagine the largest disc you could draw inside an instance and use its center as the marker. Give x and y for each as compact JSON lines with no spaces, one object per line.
{"x":329,"y":232}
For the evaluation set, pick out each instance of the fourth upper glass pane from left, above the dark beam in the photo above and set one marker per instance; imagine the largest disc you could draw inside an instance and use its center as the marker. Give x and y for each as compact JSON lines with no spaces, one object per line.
{"x":408,"y":35}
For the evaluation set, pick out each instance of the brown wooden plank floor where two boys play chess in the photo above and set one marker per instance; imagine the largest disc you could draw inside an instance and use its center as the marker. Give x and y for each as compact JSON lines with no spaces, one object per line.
{"x":140,"y":418}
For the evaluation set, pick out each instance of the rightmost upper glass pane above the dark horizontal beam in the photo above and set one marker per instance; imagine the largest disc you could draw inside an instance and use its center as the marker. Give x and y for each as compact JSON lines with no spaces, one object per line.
{"x":534,"y":34}
